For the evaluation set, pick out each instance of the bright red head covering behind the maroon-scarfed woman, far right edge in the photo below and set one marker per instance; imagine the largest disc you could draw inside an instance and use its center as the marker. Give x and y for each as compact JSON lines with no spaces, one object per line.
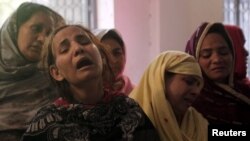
{"x":238,"y":40}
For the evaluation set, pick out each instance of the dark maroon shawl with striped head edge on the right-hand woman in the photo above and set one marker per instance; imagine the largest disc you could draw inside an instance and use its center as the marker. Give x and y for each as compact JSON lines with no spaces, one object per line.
{"x":221,"y":103}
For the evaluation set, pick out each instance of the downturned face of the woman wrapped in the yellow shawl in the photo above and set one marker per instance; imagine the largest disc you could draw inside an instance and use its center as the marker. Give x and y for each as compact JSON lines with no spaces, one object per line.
{"x":181,"y":91}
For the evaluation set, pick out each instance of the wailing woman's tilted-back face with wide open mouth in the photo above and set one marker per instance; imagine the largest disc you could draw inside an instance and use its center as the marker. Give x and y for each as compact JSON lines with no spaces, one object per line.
{"x":77,"y":59}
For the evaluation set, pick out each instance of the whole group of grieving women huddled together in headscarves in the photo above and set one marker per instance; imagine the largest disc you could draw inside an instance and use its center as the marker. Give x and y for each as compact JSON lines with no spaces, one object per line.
{"x":63,"y":82}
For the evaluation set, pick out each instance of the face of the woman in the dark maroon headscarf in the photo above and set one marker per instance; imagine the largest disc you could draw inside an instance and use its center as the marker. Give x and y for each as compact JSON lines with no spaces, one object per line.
{"x":216,"y":57}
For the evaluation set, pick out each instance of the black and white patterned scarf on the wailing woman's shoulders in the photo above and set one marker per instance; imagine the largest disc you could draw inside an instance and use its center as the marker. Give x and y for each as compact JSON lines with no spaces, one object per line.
{"x":116,"y":117}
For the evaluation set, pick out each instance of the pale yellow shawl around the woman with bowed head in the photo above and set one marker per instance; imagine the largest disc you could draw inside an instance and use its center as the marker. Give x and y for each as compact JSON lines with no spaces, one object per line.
{"x":150,"y":94}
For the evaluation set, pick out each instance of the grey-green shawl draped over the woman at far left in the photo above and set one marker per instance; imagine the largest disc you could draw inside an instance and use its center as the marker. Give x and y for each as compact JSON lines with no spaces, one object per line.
{"x":24,"y":89}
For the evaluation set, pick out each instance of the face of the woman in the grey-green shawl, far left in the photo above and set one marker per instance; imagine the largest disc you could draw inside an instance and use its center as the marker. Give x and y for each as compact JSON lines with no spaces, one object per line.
{"x":32,"y":34}
